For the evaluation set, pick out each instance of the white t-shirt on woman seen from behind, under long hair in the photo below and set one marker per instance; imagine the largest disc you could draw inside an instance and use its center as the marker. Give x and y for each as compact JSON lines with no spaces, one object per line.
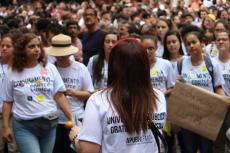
{"x":102,"y":125}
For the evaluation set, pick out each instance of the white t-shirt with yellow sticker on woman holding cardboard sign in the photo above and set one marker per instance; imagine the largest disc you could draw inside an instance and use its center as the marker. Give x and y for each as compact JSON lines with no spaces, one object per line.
{"x":199,"y":75}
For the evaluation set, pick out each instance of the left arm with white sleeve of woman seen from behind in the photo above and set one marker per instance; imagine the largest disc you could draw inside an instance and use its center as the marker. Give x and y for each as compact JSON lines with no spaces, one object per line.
{"x":90,"y":134}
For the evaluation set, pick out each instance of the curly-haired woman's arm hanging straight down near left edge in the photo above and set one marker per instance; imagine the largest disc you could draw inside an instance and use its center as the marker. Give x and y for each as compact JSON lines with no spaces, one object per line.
{"x":6,"y":111}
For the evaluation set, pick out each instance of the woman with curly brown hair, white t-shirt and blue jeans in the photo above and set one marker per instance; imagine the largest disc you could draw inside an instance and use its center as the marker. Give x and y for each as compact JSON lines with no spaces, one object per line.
{"x":32,"y":91}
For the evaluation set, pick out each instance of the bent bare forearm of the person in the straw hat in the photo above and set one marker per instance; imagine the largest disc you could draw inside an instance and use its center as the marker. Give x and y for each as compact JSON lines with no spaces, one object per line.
{"x":82,"y":95}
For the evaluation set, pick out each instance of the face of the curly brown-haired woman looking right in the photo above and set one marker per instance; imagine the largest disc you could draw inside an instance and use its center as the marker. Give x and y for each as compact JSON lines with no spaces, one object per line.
{"x":33,"y":49}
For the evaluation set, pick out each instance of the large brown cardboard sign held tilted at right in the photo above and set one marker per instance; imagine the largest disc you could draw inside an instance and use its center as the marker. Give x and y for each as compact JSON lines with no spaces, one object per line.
{"x":197,"y":110}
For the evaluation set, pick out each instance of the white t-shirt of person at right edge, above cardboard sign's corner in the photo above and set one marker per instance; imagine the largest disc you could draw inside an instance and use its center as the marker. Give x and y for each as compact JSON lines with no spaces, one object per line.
{"x":225,"y":71}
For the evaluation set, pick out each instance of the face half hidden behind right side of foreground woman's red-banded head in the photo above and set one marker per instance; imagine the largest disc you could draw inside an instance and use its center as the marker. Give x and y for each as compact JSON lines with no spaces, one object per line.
{"x":150,"y":47}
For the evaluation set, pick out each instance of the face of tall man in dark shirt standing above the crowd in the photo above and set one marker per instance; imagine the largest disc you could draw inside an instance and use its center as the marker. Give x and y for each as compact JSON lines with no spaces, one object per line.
{"x":90,"y":17}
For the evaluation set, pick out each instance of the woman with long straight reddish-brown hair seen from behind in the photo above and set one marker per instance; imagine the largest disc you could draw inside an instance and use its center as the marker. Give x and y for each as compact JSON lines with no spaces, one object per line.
{"x":117,"y":118}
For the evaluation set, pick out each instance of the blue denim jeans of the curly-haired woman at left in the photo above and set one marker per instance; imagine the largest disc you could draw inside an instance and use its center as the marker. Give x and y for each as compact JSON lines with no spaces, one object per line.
{"x":31,"y":138}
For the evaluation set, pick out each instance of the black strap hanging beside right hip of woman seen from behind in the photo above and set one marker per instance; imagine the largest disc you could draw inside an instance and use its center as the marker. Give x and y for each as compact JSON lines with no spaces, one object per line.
{"x":157,"y":135}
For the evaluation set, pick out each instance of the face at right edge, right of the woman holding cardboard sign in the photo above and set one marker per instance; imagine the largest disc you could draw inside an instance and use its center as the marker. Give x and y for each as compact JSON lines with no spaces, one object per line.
{"x":223,"y":41}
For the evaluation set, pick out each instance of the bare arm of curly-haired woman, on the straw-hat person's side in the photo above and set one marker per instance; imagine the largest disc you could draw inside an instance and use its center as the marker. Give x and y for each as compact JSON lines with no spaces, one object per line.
{"x":62,"y":102}
